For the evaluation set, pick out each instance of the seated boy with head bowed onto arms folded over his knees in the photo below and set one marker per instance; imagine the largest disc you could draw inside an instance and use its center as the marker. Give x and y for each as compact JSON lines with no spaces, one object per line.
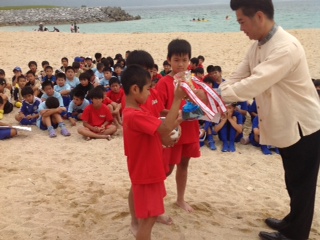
{"x":50,"y":117}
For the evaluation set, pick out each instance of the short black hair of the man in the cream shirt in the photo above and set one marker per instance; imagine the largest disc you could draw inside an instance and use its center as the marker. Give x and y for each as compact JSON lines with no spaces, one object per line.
{"x":249,"y":7}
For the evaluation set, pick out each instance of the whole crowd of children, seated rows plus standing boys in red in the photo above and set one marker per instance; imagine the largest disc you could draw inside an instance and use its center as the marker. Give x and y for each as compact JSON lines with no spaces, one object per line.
{"x":106,"y":95}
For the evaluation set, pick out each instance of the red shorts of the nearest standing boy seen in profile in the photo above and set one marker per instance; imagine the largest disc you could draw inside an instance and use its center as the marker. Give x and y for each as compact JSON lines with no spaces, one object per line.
{"x":148,"y":199}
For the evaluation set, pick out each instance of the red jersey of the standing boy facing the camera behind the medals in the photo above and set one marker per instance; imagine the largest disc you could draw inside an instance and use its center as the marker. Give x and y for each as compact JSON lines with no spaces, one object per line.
{"x":189,"y":129}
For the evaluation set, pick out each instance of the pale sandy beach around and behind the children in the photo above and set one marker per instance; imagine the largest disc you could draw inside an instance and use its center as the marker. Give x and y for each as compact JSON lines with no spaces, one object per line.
{"x":68,"y":188}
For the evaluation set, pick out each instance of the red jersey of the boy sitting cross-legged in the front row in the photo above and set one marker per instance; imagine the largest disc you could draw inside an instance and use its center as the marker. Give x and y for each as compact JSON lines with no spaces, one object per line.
{"x":97,"y":117}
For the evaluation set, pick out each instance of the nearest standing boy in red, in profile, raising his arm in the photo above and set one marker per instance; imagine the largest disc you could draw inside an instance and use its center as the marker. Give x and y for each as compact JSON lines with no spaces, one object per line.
{"x":145,"y":164}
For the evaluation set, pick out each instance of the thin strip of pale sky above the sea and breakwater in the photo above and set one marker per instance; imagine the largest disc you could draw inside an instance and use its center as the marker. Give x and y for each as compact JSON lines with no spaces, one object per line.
{"x":95,"y":3}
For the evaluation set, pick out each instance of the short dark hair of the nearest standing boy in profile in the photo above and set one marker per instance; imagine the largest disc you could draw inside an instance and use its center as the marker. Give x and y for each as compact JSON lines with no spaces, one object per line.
{"x":134,"y":75}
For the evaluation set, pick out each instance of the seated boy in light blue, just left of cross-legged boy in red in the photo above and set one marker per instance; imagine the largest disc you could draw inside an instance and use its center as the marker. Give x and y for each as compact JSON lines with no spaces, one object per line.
{"x":77,"y":106}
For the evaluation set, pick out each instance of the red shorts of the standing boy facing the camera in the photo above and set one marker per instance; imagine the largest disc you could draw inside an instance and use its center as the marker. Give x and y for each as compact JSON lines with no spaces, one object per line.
{"x":173,"y":156}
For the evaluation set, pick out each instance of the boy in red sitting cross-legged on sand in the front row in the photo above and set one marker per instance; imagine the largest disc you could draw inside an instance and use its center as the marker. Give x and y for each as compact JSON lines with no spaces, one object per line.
{"x":97,"y":118}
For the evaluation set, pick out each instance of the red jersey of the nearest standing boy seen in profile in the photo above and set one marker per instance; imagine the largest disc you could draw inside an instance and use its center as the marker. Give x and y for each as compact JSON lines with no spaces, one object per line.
{"x":143,"y":147}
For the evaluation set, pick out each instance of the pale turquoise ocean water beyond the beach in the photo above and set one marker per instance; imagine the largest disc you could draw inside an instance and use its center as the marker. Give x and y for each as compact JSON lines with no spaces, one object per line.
{"x":290,"y":14}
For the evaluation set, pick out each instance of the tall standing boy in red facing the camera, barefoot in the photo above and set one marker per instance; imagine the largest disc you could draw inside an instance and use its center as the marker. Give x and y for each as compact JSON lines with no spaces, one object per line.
{"x":179,"y":53}
